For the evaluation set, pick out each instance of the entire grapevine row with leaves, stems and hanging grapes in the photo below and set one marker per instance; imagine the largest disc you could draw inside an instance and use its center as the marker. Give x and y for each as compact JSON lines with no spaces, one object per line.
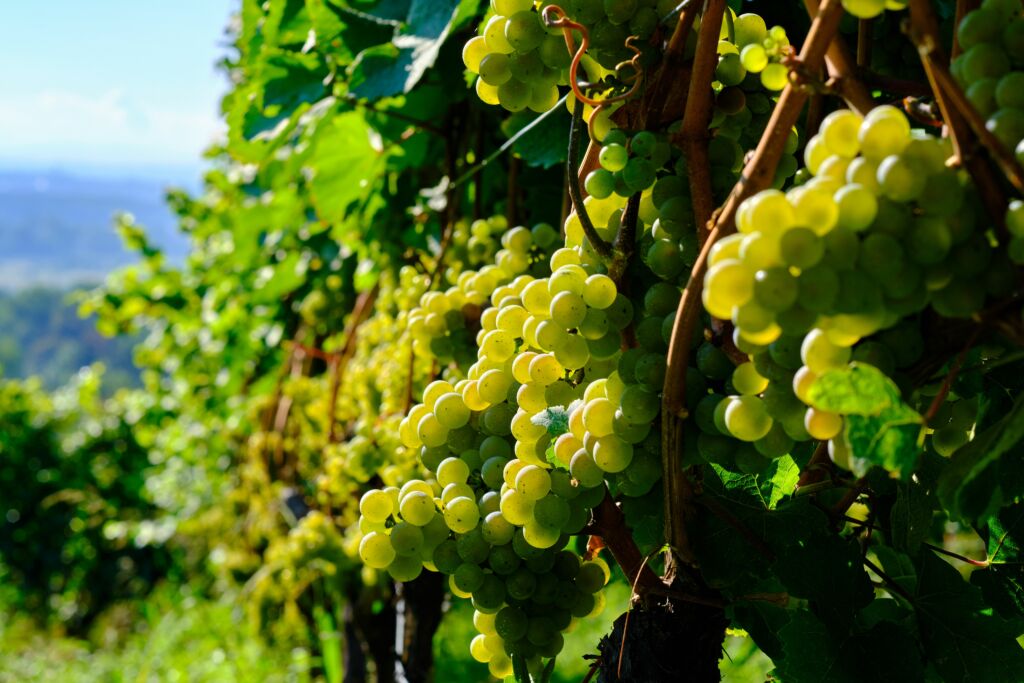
{"x":703,"y":318}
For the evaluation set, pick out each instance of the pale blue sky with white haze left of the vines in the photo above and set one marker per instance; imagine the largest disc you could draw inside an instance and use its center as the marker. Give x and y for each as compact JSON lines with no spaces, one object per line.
{"x":110,"y":83}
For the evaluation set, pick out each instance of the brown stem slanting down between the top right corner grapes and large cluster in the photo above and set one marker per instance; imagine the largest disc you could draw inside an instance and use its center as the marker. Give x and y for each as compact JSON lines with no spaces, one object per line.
{"x":925,"y":34}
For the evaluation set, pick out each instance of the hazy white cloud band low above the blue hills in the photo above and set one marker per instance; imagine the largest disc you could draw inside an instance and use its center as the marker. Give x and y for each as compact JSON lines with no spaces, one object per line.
{"x":108,"y":127}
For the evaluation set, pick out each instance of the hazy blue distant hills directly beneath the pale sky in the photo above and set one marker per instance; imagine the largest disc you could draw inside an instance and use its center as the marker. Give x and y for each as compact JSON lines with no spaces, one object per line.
{"x":57,"y":229}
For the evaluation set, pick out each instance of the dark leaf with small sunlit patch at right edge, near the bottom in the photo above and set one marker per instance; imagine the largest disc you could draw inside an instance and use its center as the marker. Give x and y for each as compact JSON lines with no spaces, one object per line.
{"x":1003,"y":582}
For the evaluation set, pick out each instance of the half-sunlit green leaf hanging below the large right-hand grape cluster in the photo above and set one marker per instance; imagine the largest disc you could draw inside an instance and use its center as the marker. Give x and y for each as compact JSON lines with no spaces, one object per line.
{"x":881,"y":430}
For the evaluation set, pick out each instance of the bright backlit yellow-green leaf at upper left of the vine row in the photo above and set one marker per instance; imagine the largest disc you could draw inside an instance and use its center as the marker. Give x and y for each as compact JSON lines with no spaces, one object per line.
{"x":344,"y":163}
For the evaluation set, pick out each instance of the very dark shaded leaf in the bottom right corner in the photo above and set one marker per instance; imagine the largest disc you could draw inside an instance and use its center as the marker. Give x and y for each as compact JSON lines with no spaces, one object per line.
{"x":962,"y":638}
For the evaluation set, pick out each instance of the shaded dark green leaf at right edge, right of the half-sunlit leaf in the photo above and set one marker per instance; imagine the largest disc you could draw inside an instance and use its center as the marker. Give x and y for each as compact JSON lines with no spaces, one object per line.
{"x":989,"y":473}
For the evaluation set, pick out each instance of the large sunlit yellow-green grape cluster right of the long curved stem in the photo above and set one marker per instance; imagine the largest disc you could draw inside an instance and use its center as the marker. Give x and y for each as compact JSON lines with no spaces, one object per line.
{"x":882,"y":232}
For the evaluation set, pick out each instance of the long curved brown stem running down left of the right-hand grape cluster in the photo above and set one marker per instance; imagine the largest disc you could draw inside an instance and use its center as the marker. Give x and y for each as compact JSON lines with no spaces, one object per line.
{"x":758,"y":175}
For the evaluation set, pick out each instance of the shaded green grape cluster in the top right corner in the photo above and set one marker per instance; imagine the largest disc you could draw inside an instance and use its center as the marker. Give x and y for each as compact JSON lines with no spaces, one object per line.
{"x":991,"y":69}
